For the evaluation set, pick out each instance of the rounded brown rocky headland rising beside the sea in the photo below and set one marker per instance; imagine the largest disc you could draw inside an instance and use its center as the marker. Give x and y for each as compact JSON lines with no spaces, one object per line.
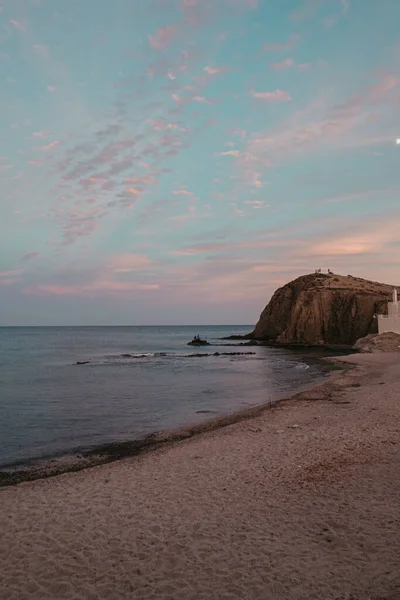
{"x":319,"y":308}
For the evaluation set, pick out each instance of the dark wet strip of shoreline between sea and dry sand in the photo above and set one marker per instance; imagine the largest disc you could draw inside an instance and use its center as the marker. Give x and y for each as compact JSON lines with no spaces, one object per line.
{"x":87,"y":458}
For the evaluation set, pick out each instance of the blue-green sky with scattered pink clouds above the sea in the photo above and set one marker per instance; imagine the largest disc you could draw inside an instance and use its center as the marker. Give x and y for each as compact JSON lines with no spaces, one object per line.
{"x":175,"y":161}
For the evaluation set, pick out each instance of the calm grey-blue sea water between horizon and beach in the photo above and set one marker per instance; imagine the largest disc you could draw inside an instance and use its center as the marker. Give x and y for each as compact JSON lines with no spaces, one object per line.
{"x":49,"y":405}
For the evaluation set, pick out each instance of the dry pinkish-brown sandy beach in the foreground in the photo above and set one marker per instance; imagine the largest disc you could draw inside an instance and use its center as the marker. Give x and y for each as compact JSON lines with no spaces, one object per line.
{"x":301,"y":503}
